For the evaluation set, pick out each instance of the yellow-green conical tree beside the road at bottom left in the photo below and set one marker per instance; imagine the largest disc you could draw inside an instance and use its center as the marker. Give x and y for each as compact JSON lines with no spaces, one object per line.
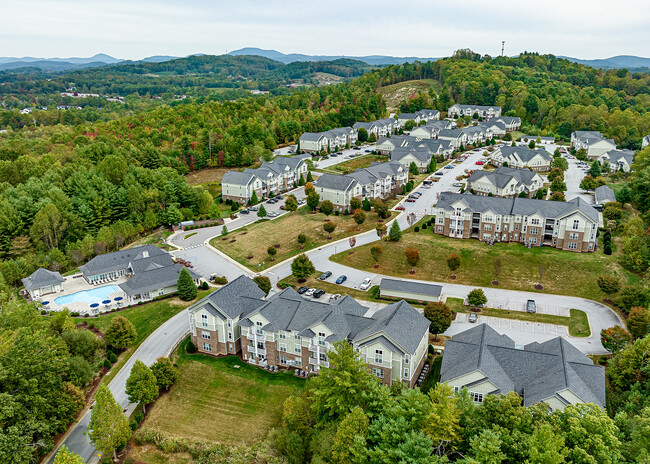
{"x":108,"y":427}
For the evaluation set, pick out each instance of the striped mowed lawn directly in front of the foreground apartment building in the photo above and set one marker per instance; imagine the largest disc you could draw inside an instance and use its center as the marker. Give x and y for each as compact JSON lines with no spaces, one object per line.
{"x":222,"y":400}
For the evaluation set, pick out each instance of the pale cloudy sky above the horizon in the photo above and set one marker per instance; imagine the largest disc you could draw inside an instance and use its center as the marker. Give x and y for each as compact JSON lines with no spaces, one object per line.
{"x":135,"y":29}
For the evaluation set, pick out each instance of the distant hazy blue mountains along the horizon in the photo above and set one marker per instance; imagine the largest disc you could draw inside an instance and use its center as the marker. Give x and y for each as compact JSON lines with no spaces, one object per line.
{"x":101,"y":59}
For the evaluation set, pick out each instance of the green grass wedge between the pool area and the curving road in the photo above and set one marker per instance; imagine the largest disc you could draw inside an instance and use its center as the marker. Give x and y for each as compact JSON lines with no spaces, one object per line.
{"x":146,"y":318}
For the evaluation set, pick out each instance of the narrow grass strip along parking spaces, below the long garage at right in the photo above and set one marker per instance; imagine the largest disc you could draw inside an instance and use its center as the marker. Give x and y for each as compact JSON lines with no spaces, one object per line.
{"x":577,"y":322}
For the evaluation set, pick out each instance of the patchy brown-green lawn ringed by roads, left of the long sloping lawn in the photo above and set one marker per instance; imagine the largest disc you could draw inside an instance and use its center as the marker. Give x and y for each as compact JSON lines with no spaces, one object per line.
{"x":254,"y":240}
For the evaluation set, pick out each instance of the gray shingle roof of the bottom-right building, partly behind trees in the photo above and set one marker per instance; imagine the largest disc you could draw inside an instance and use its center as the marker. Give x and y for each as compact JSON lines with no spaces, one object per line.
{"x":538,"y":372}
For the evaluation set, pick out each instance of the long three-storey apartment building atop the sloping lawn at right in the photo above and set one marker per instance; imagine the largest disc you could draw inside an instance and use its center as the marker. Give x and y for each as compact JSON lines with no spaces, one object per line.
{"x":570,"y":225}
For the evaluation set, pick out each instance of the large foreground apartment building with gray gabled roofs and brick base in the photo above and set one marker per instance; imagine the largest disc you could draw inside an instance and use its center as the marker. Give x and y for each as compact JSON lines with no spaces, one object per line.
{"x":286,"y":330}
